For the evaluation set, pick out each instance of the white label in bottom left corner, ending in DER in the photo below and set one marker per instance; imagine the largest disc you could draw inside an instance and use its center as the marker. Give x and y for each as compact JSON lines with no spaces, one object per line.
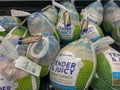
{"x":7,"y":85}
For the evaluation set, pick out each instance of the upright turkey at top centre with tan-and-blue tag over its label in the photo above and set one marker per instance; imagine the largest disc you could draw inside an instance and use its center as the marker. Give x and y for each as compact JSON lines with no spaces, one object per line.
{"x":68,"y":22}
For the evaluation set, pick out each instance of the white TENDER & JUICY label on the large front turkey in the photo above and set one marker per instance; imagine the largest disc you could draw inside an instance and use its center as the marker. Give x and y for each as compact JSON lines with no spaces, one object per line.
{"x":65,"y":69}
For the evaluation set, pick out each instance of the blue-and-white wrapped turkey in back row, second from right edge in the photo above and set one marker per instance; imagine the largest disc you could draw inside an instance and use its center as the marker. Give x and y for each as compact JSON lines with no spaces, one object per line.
{"x":93,"y":12}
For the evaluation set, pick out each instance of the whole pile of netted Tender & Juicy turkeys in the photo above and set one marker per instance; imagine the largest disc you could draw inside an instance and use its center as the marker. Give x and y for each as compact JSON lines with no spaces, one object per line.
{"x":68,"y":45}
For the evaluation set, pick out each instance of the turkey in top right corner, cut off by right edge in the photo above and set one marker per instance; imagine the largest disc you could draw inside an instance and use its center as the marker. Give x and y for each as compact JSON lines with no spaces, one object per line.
{"x":111,"y":21}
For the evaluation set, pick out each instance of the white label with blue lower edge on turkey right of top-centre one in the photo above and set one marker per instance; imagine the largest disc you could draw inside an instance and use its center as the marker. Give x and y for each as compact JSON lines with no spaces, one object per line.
{"x":91,"y":33}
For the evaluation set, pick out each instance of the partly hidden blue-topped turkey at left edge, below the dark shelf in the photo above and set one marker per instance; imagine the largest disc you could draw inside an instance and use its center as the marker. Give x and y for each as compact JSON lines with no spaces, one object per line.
{"x":8,"y":22}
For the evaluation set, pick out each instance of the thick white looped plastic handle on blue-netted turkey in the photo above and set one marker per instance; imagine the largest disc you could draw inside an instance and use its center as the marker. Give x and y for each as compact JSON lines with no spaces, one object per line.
{"x":42,"y":53}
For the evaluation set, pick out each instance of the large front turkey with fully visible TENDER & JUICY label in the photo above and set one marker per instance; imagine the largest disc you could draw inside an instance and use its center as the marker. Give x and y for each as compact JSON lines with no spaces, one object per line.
{"x":74,"y":66}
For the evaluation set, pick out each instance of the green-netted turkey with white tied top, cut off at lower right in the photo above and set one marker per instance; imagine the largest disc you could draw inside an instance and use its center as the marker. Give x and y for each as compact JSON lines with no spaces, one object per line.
{"x":108,"y":63}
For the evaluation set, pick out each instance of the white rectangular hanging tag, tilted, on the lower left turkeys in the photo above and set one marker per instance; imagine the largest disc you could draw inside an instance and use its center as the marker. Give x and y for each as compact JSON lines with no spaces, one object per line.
{"x":28,"y":66}
